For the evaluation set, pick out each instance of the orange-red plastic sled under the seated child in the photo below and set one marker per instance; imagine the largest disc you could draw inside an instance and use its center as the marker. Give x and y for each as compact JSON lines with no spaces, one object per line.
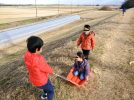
{"x":74,"y":79}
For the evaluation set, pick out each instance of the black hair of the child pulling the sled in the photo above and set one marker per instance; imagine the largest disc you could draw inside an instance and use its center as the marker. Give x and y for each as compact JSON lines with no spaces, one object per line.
{"x":34,"y":43}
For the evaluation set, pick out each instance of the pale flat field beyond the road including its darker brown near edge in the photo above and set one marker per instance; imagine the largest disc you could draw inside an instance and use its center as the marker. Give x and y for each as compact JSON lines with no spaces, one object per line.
{"x":15,"y":16}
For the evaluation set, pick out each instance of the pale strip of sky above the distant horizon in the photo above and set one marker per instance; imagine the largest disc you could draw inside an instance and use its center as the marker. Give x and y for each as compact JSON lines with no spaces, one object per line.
{"x":104,"y":2}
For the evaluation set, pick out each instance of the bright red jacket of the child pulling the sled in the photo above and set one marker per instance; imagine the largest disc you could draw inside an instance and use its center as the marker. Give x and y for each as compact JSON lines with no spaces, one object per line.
{"x":38,"y":68}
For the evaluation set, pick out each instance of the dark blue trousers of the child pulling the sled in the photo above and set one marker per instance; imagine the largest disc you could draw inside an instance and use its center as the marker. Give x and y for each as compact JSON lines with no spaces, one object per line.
{"x":48,"y":88}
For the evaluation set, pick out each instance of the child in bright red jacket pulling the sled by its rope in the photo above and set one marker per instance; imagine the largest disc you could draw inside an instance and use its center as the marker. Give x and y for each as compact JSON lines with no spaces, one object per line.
{"x":37,"y":67}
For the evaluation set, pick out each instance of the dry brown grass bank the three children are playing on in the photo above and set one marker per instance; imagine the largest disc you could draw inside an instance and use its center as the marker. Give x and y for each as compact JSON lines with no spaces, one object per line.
{"x":112,"y":78}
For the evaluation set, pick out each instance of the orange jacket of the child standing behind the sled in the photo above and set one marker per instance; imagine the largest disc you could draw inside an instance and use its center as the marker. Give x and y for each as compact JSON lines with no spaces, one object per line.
{"x":87,"y":42}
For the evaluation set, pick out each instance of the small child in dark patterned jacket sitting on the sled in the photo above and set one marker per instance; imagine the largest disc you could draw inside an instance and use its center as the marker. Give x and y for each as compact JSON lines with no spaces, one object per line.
{"x":81,"y":66}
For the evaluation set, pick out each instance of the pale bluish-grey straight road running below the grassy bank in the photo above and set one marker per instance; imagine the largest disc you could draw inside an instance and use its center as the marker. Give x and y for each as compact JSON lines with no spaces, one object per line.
{"x":25,"y":31}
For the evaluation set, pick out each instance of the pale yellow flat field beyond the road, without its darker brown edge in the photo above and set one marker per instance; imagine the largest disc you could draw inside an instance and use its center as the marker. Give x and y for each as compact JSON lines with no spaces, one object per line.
{"x":11,"y":14}
